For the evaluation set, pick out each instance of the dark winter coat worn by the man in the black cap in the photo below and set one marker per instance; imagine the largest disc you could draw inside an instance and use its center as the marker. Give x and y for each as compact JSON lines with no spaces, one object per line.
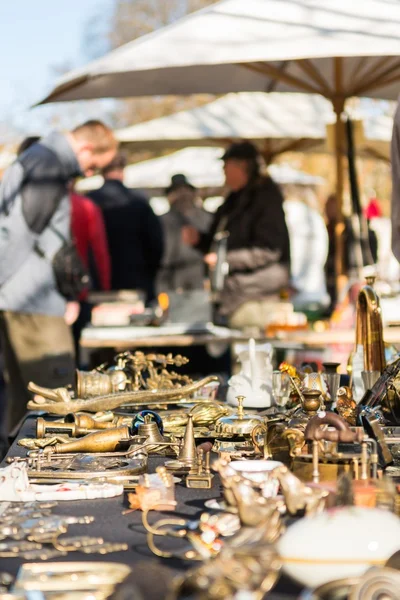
{"x":258,"y":244}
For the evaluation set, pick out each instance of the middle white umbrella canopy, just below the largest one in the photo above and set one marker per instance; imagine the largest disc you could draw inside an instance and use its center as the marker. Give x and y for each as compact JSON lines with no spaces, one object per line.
{"x":276,"y":122}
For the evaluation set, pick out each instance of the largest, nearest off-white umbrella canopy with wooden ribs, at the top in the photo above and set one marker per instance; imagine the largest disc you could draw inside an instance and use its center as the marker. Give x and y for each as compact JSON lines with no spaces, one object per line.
{"x":335,"y":47}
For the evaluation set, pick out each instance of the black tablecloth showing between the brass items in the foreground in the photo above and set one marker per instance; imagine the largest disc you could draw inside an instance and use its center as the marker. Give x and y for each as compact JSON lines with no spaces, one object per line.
{"x":151,"y":575}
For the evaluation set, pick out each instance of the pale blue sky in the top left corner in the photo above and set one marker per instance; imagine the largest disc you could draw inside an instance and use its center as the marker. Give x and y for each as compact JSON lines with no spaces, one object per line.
{"x":34,"y":35}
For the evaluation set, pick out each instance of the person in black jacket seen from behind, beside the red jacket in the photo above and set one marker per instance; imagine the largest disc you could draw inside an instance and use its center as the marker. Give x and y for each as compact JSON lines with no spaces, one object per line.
{"x":134,"y":232}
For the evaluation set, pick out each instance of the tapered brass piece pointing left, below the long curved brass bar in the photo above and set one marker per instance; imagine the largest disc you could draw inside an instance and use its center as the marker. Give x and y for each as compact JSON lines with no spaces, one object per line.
{"x":99,"y":441}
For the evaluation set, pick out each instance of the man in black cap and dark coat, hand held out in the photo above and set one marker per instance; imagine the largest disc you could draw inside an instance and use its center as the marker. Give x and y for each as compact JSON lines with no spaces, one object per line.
{"x":258,"y":243}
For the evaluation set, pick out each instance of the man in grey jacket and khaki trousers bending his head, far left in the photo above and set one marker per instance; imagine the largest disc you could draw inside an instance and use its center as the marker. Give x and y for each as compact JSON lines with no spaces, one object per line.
{"x":34,"y":223}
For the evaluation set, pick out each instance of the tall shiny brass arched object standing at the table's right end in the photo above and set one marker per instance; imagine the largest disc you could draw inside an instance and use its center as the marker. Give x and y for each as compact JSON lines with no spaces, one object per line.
{"x":369,"y":329}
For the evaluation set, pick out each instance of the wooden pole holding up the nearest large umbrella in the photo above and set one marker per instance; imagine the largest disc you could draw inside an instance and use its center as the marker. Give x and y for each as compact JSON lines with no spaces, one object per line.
{"x":338,"y":106}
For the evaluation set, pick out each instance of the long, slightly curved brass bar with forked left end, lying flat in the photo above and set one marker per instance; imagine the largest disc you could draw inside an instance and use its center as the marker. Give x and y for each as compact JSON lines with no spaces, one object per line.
{"x":56,"y":403}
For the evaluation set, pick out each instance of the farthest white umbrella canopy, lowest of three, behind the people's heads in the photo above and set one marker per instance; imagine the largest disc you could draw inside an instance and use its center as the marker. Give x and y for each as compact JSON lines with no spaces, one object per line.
{"x":202,"y":167}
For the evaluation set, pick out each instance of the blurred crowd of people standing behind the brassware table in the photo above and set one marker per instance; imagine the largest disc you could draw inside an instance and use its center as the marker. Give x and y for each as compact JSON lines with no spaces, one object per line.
{"x":257,"y":249}
